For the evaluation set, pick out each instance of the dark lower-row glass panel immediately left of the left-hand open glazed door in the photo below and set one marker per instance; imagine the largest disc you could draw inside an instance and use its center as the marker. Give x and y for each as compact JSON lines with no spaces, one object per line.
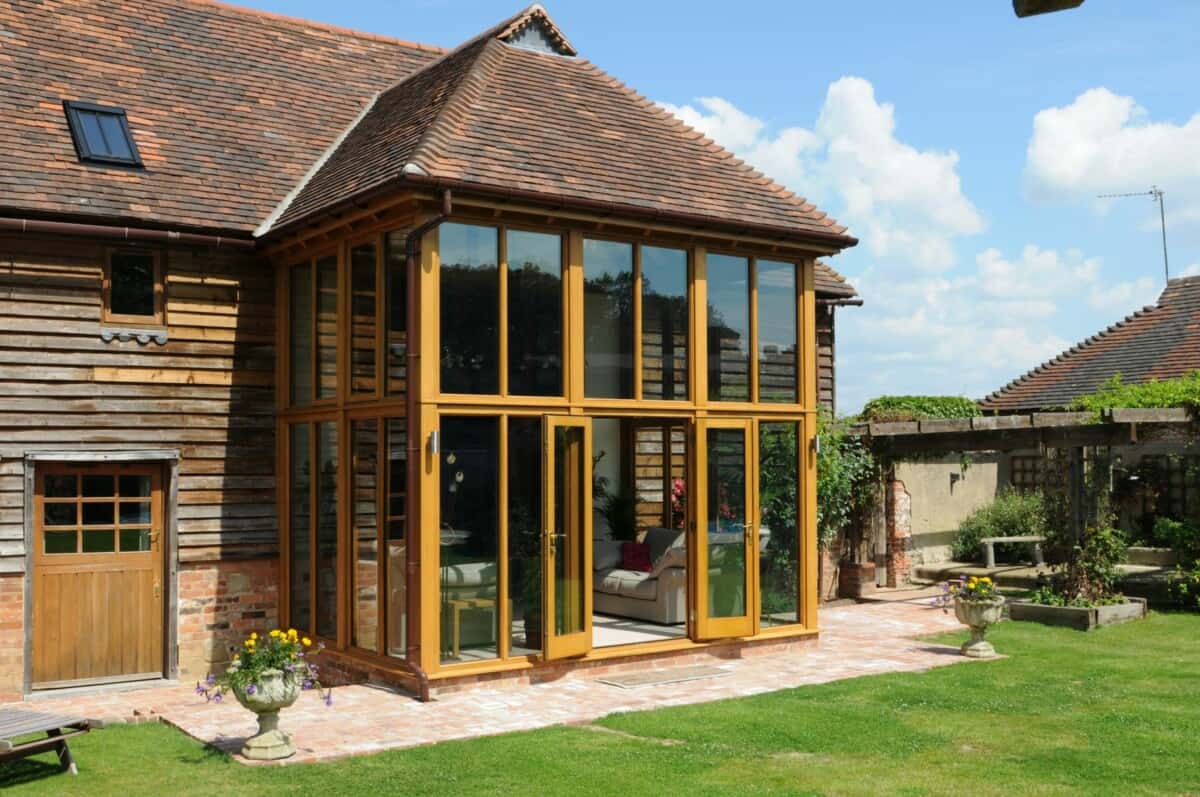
{"x":525,"y":534}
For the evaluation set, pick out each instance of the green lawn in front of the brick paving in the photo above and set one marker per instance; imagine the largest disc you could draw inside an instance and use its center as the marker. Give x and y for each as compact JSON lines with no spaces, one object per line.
{"x":1112,"y":712}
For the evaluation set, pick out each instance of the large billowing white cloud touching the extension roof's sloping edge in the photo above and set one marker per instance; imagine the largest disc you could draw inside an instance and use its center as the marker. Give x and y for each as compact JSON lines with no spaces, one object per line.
{"x":907,"y":205}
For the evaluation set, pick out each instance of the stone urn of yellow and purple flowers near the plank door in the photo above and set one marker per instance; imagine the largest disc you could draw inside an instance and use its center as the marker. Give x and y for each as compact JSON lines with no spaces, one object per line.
{"x":268,"y":675}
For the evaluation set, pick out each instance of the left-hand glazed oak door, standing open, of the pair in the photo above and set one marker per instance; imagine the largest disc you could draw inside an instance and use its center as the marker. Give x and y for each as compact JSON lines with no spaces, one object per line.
{"x":567,"y":541}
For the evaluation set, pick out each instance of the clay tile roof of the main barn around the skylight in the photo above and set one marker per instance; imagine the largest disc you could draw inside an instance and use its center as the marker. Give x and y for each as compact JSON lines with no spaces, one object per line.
{"x":230,"y":107}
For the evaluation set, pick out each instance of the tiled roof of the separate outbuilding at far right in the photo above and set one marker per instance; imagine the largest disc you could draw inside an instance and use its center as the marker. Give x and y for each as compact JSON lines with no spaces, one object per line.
{"x":1157,"y":343}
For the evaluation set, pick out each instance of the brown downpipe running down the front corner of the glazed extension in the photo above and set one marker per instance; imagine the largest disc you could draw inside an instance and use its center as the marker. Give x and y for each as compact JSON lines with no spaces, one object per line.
{"x":416,"y":450}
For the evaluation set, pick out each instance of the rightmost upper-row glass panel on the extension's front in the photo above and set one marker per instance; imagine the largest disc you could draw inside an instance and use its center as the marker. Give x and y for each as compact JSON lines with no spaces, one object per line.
{"x":778,"y":367}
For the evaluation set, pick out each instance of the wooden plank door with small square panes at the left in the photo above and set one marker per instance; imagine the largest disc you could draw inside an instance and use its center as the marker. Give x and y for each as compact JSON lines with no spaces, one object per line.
{"x":98,"y":607}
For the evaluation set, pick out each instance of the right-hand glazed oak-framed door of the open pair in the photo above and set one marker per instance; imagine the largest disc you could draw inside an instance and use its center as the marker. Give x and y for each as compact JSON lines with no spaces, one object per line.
{"x":727,"y":552}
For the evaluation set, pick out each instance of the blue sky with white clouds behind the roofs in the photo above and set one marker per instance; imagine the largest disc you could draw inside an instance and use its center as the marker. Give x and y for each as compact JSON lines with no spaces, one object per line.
{"x":963,"y":147}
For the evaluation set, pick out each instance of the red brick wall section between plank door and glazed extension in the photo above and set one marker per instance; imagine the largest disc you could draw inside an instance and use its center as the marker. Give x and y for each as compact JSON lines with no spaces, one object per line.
{"x":220,"y":604}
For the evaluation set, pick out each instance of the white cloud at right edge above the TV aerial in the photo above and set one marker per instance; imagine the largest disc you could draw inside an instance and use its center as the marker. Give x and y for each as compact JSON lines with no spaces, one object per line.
{"x":1107,"y":143}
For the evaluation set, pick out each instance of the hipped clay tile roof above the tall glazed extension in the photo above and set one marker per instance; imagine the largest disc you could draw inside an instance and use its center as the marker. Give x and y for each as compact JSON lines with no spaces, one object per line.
{"x":506,"y":119}
